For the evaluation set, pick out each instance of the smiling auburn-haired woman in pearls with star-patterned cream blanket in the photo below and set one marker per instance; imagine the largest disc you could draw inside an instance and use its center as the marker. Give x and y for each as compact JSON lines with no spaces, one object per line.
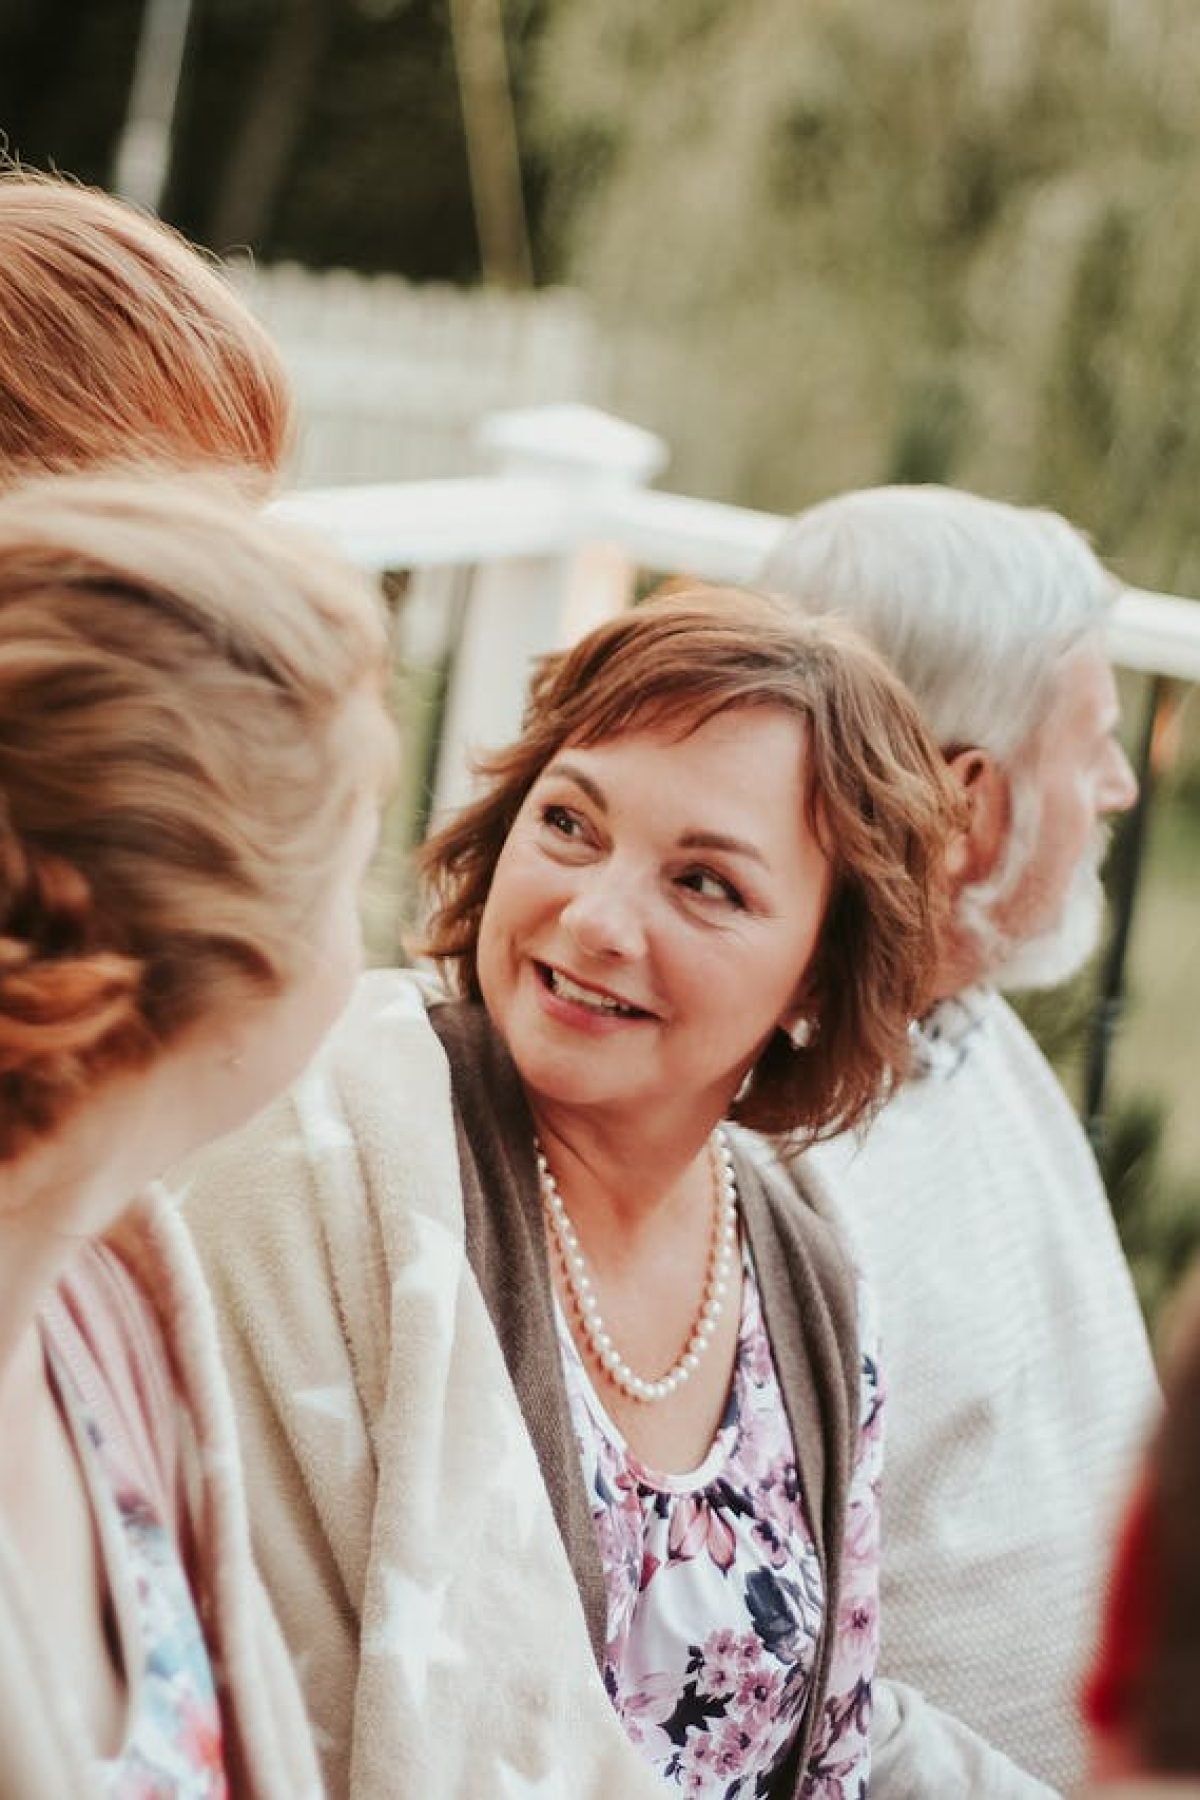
{"x":537,"y":1259}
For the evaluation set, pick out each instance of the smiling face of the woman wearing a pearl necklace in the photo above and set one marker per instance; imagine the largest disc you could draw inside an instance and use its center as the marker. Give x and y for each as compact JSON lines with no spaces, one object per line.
{"x":652,"y":915}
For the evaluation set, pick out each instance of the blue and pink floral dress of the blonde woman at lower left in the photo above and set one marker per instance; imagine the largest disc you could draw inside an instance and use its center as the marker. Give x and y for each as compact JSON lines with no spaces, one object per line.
{"x":174,"y":1747}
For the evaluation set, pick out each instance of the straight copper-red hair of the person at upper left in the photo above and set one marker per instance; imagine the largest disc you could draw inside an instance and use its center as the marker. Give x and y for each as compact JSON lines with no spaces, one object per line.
{"x":121,"y":343}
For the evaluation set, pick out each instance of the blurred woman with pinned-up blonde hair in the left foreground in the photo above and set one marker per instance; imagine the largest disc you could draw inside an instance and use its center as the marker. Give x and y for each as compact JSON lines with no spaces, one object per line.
{"x":192,"y":755}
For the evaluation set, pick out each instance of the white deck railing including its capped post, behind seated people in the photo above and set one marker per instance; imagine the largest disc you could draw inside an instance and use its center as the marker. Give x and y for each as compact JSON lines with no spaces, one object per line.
{"x":559,"y":537}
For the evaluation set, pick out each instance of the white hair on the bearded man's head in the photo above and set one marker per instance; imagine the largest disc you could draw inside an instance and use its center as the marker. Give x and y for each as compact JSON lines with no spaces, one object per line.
{"x":971,"y":600}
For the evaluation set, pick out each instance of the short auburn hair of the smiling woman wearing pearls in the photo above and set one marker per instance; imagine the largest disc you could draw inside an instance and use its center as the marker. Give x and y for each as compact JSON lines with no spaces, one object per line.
{"x":877,"y":796}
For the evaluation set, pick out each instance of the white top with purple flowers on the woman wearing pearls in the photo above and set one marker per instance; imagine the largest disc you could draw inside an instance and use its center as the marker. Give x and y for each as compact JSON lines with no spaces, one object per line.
{"x":715,"y":1592}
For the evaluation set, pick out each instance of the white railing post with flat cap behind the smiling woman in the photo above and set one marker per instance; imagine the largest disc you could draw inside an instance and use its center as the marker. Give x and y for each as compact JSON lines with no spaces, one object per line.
{"x":524,"y":606}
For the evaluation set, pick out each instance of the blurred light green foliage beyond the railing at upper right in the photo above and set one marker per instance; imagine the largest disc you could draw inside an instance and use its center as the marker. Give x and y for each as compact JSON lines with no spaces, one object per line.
{"x":846,"y":244}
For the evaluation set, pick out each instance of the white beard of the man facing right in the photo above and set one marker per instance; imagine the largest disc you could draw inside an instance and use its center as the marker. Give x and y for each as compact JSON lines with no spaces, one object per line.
{"x":1057,"y":953}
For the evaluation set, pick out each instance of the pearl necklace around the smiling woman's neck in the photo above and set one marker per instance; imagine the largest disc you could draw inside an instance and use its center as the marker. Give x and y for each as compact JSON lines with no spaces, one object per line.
{"x":712,"y":1299}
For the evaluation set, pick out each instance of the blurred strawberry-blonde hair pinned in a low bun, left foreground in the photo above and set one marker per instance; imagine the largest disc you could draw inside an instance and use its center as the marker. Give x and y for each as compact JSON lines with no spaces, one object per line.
{"x":190,"y":710}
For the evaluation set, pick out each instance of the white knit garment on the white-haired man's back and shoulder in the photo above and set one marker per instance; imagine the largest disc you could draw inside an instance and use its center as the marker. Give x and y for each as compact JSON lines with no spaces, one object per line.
{"x":1021,"y":1389}
